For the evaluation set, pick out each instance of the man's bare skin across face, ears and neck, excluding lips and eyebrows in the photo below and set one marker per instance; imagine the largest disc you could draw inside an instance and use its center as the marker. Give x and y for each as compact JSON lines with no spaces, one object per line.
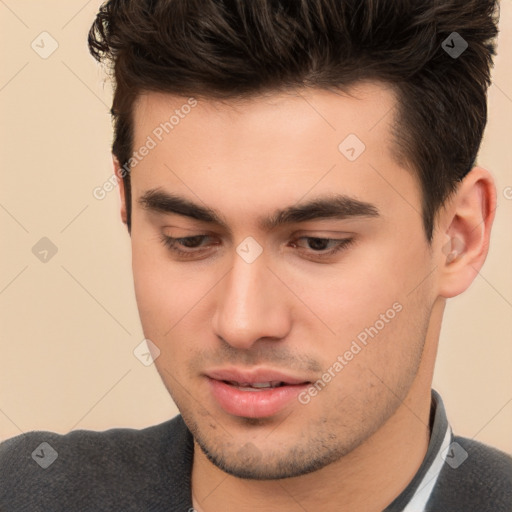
{"x":357,"y":444}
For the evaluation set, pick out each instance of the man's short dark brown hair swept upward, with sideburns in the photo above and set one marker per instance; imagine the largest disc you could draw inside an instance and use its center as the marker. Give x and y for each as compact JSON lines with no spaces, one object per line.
{"x":229,"y":49}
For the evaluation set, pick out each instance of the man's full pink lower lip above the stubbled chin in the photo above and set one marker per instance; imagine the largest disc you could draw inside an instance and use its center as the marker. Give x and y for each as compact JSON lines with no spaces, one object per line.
{"x":254,"y":404}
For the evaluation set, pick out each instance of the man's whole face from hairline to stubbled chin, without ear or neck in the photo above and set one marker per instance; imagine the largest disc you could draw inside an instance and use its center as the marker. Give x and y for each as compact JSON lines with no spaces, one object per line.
{"x":277,"y":242}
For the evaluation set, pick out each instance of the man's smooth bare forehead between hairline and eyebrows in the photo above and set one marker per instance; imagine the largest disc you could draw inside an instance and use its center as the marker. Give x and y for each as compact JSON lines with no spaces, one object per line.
{"x":278,"y":147}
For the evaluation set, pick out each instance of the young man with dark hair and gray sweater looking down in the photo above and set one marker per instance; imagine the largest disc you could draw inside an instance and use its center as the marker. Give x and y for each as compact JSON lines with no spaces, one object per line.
{"x":299,"y":183}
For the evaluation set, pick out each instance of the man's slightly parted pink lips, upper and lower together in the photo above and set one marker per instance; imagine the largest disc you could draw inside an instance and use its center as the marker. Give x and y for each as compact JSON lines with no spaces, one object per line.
{"x":257,"y":394}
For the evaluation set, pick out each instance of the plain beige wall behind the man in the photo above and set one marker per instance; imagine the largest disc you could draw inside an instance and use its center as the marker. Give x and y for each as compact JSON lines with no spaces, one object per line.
{"x":69,"y":326}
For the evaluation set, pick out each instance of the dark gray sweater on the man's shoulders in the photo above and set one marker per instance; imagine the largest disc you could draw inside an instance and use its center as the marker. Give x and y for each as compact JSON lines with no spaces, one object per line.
{"x":127,"y":470}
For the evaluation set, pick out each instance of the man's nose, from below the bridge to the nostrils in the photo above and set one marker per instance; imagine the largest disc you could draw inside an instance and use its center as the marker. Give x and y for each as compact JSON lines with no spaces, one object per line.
{"x":251,"y":305}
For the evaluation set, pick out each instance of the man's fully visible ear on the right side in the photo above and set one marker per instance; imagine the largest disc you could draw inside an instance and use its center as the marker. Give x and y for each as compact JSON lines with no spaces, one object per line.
{"x":466,"y":229}
